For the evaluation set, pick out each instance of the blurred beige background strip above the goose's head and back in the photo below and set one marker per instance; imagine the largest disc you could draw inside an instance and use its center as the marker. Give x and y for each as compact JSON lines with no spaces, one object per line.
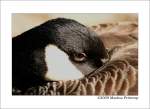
{"x":25,"y":21}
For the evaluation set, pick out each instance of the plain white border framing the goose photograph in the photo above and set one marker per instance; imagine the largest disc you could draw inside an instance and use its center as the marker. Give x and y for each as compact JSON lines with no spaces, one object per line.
{"x":9,"y":7}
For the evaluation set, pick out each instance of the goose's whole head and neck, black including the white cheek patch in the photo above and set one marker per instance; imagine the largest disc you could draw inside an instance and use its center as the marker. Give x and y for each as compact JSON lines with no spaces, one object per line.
{"x":59,"y":49}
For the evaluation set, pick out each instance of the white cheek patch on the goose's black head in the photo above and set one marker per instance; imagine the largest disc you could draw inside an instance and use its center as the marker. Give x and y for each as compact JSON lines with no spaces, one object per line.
{"x":59,"y":65}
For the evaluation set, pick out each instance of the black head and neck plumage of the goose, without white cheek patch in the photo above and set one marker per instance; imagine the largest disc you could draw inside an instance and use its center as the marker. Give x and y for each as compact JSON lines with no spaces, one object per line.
{"x":28,"y":50}
